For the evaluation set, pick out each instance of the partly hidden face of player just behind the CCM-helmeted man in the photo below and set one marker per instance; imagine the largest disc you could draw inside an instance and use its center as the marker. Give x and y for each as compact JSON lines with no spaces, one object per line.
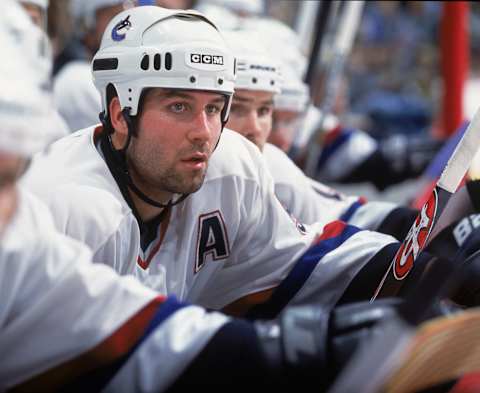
{"x":251,"y":115}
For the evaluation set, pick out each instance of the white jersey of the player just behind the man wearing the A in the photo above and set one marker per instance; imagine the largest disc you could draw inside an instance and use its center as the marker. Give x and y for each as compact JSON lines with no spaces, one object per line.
{"x":311,"y":201}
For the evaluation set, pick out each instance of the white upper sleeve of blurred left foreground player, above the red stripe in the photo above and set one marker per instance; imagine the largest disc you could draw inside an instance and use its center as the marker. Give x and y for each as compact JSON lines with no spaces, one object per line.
{"x":55,"y":302}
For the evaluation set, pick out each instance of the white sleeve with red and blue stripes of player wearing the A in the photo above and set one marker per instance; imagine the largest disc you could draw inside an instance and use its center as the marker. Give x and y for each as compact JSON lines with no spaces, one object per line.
{"x":273,"y":247}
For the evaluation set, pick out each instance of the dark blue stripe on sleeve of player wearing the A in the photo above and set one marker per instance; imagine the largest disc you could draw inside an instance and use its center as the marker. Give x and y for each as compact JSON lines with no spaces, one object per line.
{"x":299,"y":274}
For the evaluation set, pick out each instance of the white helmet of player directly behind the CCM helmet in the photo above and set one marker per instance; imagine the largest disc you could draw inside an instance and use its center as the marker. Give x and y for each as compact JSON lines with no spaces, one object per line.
{"x":255,"y":69}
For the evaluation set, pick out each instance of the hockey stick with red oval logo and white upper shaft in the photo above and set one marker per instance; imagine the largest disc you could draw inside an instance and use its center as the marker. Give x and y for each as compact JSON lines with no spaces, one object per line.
{"x":418,"y":234}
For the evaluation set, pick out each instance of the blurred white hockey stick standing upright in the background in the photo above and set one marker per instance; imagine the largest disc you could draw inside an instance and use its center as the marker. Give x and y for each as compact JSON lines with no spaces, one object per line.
{"x":349,"y":22}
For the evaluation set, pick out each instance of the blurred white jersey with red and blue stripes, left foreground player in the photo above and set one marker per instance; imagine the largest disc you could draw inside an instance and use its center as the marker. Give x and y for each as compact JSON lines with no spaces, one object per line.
{"x":62,"y":316}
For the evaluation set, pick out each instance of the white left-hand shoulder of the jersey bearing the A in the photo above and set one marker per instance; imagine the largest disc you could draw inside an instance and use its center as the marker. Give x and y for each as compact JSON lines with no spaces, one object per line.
{"x":74,"y":181}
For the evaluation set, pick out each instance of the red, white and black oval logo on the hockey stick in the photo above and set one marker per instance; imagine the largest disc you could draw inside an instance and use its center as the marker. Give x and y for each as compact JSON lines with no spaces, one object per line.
{"x":416,"y":238}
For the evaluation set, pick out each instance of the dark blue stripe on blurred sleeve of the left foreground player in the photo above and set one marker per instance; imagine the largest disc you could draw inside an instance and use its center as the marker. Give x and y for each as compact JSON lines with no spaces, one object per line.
{"x":99,"y":378}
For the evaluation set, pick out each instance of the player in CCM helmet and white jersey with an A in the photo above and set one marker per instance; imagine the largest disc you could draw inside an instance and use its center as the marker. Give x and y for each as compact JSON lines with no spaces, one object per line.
{"x":137,"y":189}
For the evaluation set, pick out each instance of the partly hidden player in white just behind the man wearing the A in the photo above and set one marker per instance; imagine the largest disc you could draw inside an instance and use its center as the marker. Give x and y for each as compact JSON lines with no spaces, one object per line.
{"x":257,"y":87}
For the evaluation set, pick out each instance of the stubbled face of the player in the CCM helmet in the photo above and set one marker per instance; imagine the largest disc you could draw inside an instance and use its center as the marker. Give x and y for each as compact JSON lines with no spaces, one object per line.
{"x":178,"y":132}
